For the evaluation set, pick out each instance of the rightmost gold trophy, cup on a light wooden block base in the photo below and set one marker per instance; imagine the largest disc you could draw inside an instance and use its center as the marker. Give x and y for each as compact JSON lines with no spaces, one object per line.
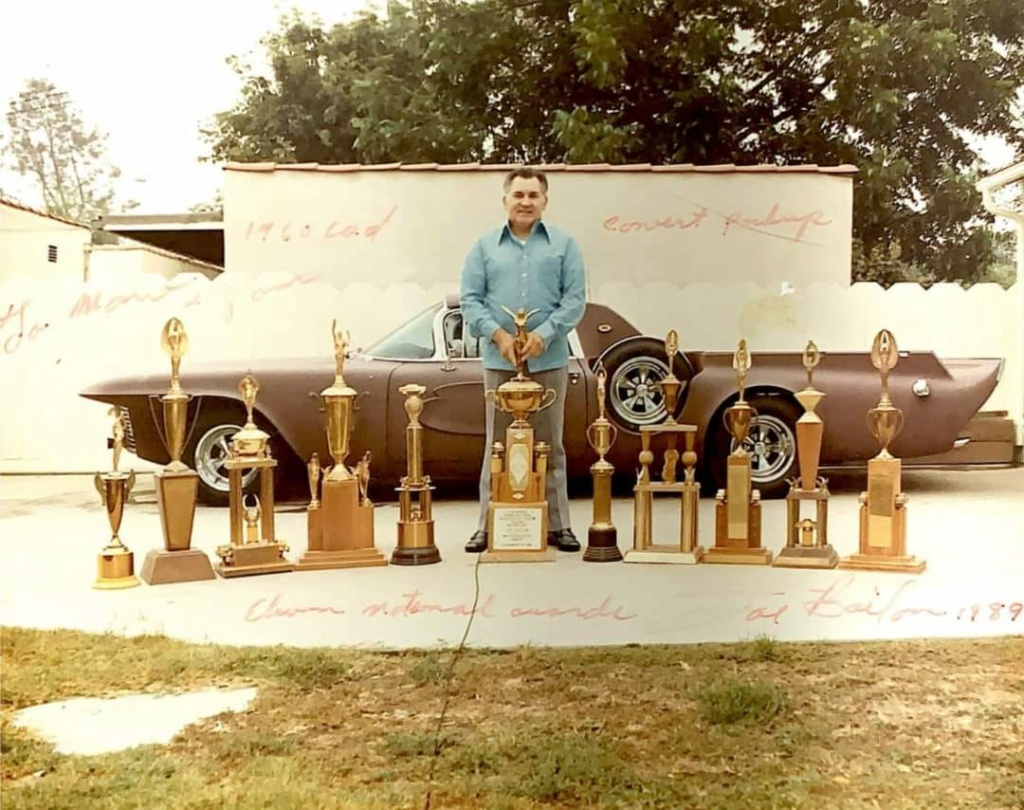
{"x":883,"y":506}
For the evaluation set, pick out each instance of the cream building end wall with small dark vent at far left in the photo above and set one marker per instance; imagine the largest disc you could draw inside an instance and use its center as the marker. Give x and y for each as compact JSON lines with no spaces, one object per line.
{"x":25,"y":242}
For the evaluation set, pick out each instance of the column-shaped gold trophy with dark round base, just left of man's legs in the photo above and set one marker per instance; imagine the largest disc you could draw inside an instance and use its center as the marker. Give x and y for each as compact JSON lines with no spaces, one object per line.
{"x":416,"y":522}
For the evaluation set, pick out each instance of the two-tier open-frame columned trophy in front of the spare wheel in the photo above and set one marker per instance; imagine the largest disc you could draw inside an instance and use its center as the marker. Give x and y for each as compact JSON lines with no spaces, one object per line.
{"x":686,"y":551}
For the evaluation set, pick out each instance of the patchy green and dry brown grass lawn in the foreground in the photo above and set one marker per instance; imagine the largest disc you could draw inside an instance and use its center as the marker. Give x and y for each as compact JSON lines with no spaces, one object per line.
{"x":923,"y":724}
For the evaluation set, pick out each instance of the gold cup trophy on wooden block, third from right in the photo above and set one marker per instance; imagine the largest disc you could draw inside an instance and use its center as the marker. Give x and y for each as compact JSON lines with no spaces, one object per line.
{"x":738,"y":507}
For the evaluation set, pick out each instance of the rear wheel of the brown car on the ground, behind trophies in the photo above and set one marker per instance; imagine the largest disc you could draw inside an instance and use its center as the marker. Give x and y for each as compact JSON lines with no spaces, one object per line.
{"x":772,"y":443}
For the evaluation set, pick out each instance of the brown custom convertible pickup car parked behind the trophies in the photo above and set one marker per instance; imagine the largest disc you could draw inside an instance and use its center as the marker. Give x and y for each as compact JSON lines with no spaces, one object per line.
{"x":938,"y":398}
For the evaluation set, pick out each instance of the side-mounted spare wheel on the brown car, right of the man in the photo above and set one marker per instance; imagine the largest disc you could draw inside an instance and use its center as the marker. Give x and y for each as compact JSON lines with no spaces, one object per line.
{"x":635,"y":368}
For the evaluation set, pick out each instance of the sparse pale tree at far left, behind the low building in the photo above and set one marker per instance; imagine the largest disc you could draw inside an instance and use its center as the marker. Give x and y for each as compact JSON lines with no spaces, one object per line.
{"x":49,"y":142}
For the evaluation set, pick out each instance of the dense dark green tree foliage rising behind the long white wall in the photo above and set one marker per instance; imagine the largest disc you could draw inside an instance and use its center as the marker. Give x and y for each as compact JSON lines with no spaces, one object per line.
{"x":897,"y":88}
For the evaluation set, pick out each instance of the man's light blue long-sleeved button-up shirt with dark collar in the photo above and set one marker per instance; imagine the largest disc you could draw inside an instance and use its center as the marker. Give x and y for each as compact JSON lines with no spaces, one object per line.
{"x":543,"y":273}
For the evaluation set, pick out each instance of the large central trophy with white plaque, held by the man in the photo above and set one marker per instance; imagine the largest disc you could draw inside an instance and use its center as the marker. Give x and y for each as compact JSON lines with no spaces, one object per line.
{"x":518,"y":514}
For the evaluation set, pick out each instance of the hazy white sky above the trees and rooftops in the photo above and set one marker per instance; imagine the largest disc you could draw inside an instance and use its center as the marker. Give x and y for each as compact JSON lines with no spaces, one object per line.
{"x":151,"y":75}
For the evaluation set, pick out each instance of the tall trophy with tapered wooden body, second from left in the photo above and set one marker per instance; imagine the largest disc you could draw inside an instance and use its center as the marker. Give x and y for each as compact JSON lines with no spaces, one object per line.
{"x":177,"y":485}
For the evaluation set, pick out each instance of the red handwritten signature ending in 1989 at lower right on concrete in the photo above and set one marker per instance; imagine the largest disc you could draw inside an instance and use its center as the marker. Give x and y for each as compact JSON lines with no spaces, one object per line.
{"x":831,"y":604}
